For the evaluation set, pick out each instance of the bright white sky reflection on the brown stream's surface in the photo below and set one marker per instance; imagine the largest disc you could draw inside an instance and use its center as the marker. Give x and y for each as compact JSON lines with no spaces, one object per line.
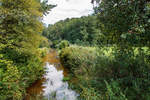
{"x":55,"y":87}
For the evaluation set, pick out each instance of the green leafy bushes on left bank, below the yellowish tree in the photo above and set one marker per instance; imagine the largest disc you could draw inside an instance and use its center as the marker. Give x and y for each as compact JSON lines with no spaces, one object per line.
{"x":18,"y":71}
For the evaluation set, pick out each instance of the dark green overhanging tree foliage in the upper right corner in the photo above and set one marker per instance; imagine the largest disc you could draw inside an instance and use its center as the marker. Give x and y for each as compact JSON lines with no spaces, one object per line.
{"x":125,"y":21}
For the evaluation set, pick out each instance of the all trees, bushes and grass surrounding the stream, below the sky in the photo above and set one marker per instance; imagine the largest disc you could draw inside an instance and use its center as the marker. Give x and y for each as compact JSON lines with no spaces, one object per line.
{"x":107,"y":54}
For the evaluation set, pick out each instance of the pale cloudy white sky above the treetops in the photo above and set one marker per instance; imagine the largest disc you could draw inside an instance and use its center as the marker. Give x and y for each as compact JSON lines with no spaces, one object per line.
{"x":68,"y":9}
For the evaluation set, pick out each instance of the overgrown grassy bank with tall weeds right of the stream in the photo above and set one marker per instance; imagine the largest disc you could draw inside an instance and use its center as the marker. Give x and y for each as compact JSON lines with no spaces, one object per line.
{"x":105,"y":74}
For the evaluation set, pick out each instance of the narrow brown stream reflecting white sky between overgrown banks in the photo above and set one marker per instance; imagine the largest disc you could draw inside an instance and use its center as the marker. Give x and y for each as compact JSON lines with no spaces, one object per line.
{"x":51,"y":86}
